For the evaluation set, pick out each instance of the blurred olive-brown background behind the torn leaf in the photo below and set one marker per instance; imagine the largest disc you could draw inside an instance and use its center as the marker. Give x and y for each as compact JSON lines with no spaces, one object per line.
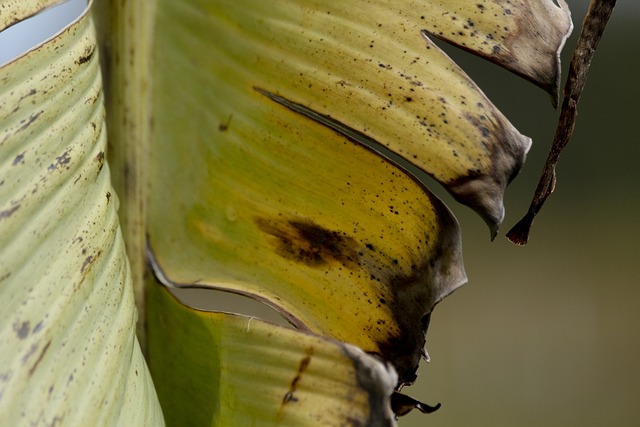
{"x":547,"y":334}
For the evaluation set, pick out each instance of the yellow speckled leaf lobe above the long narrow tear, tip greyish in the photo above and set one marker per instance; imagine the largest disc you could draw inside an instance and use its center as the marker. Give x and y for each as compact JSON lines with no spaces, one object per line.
{"x":367,"y":65}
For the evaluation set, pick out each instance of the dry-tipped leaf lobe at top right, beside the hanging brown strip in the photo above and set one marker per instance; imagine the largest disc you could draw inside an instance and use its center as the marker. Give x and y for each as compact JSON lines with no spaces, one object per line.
{"x":525,"y":37}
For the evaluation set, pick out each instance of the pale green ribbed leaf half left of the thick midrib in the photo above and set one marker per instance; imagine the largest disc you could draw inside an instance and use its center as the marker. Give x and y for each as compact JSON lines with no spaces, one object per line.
{"x":68,"y":351}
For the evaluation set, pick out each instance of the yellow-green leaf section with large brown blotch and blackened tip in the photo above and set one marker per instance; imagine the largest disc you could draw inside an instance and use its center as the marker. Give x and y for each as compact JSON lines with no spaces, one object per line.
{"x":250,"y":196}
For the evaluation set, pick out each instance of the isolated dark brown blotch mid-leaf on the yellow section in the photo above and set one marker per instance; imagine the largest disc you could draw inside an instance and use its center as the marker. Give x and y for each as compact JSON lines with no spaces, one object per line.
{"x":310,"y":244}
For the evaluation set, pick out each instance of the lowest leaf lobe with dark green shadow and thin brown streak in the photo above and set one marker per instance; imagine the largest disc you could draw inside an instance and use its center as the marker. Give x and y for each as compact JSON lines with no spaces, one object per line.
{"x":222,"y":369}
